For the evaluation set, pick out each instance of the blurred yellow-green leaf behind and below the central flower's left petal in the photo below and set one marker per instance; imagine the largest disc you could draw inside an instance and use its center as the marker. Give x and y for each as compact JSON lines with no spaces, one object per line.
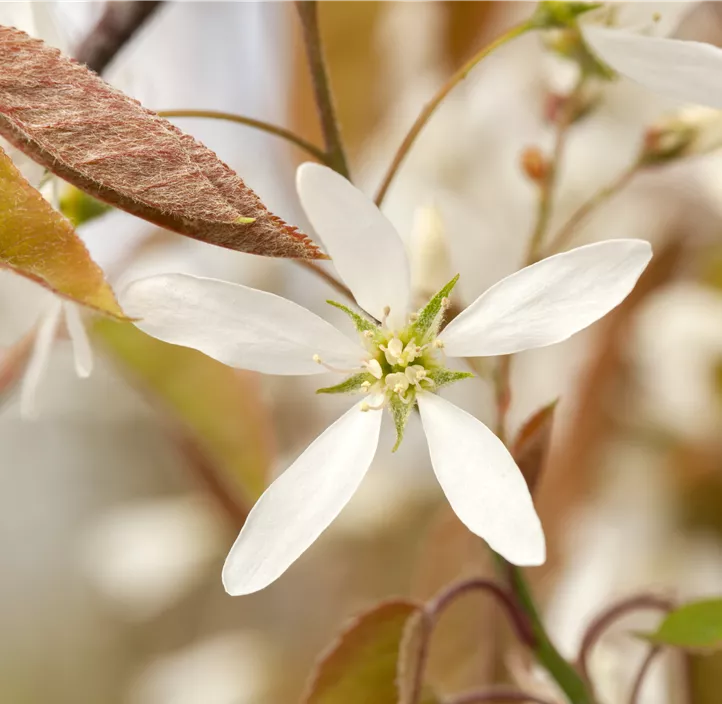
{"x":220,"y":406}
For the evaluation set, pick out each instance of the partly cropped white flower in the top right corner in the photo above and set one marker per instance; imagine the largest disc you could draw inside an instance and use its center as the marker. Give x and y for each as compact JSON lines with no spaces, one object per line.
{"x":683,"y":70}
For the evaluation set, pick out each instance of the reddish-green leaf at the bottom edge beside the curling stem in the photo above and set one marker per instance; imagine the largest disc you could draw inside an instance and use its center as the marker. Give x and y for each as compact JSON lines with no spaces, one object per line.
{"x":361,"y":666}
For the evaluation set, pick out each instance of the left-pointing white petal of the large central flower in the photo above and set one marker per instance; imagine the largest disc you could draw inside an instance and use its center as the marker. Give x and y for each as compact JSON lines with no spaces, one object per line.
{"x":237,"y":325}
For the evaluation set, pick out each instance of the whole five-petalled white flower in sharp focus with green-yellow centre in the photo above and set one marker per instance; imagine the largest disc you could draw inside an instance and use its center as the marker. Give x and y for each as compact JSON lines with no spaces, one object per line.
{"x":396,"y":364}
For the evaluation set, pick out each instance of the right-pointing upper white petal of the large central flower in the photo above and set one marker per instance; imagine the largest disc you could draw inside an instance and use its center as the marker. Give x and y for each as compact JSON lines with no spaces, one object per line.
{"x":549,"y":301}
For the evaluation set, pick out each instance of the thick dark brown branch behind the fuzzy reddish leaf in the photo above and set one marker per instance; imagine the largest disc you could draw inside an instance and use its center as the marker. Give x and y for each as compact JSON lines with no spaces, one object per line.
{"x":119,"y":22}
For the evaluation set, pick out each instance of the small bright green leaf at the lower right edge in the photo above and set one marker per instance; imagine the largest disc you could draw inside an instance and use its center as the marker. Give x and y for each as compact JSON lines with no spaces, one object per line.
{"x":695,"y":626}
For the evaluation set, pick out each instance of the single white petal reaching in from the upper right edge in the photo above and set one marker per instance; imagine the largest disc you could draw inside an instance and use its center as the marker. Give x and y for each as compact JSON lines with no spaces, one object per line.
{"x":682,"y":70}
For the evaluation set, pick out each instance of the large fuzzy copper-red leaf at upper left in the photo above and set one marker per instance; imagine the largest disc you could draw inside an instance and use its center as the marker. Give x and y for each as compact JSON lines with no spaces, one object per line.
{"x":69,"y":120}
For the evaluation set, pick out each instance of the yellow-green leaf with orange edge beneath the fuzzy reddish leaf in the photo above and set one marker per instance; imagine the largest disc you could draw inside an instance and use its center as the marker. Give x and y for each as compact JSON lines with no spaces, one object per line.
{"x":37,"y":242}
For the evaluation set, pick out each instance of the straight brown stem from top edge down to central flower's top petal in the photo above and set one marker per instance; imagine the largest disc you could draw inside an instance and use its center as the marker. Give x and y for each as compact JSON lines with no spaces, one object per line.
{"x":335,"y":154}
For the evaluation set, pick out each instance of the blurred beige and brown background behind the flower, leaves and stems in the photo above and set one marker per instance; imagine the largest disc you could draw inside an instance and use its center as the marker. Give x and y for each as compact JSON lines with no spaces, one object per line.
{"x":113,"y":525}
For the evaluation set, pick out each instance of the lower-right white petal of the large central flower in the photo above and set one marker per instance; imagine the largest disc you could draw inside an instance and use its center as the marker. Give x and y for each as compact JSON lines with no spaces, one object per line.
{"x":482,"y":482}
